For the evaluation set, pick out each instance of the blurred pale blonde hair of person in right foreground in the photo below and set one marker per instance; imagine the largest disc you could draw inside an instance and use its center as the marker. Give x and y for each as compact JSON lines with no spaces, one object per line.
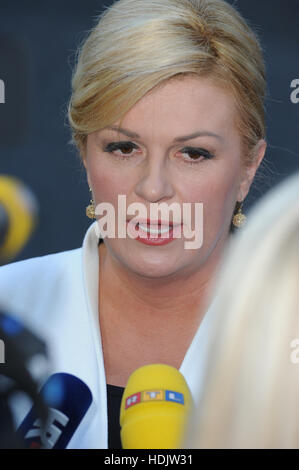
{"x":250,"y":395}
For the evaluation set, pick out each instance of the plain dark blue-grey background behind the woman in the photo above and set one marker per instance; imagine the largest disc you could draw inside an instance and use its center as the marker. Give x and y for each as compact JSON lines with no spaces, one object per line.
{"x":38,"y":41}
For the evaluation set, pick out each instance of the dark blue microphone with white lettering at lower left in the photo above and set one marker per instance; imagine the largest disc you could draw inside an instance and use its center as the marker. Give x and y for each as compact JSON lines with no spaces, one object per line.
{"x":68,"y":399}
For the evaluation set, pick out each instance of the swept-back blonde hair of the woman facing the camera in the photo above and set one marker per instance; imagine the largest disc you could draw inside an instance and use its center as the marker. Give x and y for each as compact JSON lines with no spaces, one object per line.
{"x":138,"y":44}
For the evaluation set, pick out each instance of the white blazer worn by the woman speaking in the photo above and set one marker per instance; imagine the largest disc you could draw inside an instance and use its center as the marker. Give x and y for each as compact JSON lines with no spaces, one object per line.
{"x":56,"y":296}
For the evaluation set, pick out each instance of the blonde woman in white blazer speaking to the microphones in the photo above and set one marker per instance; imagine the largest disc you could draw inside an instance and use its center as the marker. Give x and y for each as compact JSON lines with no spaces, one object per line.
{"x":166,"y":107}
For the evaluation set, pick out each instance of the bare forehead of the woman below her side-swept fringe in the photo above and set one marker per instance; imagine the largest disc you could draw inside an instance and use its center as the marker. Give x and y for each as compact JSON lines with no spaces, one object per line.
{"x":184,"y":105}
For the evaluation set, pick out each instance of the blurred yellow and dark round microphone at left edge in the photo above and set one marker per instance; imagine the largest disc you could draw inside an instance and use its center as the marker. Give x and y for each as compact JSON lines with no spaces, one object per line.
{"x":18,"y":217}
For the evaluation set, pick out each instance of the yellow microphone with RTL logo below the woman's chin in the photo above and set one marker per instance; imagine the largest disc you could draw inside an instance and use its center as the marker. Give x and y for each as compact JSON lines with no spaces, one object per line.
{"x":155,"y":407}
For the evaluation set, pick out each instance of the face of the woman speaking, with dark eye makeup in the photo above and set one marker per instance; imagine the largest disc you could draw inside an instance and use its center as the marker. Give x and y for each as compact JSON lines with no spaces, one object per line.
{"x":152,"y":166}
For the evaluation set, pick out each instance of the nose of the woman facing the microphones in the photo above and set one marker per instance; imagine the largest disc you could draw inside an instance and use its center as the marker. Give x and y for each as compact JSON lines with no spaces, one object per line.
{"x":154,"y":183}
